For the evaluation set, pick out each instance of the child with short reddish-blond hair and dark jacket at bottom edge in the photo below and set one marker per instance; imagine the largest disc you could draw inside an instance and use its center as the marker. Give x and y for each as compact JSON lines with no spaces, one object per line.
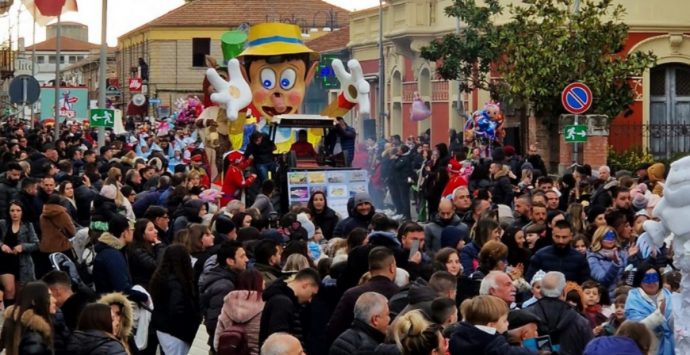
{"x":485,"y":319}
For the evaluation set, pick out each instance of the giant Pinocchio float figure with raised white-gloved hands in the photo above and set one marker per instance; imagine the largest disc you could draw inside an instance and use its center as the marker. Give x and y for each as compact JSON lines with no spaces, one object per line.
{"x":270,"y":76}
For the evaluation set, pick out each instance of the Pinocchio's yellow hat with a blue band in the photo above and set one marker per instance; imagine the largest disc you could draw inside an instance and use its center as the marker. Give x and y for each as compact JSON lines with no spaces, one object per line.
{"x":268,"y":39}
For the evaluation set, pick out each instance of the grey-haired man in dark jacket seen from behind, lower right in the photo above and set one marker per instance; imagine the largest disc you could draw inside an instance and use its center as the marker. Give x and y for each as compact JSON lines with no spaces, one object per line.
{"x":564,"y":325}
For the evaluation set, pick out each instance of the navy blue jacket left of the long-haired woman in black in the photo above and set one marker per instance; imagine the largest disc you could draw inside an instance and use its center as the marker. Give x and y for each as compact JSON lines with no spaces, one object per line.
{"x":110,"y":270}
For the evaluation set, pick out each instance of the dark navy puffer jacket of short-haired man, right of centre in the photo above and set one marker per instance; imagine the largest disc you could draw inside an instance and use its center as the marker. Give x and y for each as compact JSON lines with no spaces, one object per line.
{"x":568,"y":261}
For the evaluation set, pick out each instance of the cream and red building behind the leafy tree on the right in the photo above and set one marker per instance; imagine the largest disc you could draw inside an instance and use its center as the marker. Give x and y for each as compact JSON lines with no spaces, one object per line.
{"x":661,"y":117}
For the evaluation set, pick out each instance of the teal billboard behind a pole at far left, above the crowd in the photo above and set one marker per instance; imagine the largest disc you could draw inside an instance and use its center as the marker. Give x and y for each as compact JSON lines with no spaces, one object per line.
{"x":74,"y":103}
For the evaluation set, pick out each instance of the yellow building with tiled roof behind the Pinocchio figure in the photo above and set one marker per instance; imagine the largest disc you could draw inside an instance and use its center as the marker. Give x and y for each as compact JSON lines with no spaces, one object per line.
{"x":174,"y":45}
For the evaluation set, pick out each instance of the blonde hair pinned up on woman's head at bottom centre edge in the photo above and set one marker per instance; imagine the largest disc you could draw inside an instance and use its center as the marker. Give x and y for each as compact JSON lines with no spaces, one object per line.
{"x":415,"y":335}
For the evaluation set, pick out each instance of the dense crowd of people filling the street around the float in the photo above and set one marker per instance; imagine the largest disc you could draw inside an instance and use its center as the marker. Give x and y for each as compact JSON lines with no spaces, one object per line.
{"x":129,"y":250}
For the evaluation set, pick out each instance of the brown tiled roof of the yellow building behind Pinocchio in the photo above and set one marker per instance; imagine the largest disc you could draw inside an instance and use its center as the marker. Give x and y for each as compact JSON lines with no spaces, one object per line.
{"x":232,"y":13}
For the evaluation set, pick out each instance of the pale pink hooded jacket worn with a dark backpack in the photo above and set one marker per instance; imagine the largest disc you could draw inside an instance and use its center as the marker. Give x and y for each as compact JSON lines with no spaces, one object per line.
{"x":241,"y":307}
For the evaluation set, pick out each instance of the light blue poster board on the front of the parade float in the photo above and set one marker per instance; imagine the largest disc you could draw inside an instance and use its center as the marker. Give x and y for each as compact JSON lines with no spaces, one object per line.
{"x":338,"y":185}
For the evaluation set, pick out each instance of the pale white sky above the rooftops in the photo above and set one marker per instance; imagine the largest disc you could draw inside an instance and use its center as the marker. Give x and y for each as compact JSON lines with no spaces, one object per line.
{"x":123,"y":16}
